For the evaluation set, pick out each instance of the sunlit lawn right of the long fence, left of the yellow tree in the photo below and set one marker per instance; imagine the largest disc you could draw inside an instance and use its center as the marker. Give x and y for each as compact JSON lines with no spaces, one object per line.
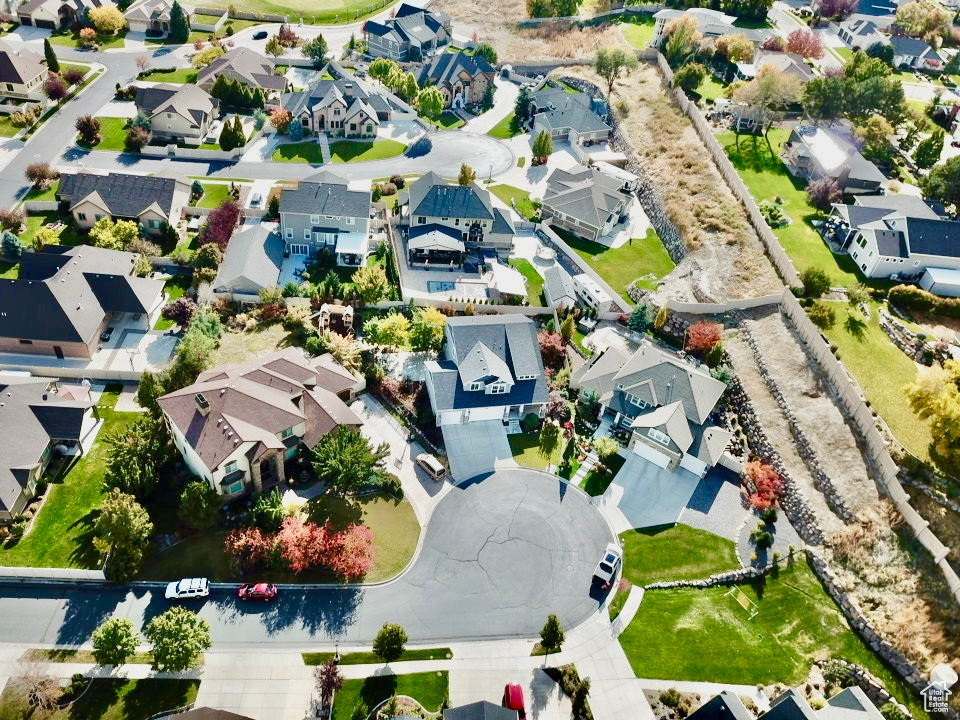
{"x":882,"y":370}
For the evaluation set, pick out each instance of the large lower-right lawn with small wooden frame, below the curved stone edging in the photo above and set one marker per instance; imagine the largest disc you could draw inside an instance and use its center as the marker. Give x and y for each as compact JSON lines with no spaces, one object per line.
{"x":713,"y":639}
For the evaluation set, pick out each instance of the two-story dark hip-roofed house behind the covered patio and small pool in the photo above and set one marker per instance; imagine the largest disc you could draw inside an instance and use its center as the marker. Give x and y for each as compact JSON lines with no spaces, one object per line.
{"x":466,"y":210}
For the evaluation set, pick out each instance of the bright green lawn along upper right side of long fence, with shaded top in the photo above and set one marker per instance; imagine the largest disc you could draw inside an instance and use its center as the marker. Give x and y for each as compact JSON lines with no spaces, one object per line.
{"x":766,"y":177}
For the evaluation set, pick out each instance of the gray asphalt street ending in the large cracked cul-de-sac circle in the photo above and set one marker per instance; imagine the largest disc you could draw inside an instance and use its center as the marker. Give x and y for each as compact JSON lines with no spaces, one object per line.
{"x":499,"y":554}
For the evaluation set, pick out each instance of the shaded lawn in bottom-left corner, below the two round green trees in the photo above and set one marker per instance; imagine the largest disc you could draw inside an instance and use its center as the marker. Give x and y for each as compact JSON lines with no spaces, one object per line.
{"x":110,"y":699}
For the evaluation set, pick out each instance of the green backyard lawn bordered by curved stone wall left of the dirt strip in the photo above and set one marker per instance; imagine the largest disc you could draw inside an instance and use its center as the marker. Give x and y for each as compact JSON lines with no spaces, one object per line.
{"x":644,"y":258}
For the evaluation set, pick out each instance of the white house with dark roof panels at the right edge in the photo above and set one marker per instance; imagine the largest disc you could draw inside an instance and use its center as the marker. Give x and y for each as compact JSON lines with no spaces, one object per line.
{"x":894,"y":236}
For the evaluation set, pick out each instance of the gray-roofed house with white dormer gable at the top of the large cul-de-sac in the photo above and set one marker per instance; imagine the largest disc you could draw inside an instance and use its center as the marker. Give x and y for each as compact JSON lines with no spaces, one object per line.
{"x":491,"y":369}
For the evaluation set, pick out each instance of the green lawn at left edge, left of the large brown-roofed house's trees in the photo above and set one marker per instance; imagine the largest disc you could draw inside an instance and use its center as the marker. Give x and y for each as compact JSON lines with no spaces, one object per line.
{"x":61,"y":533}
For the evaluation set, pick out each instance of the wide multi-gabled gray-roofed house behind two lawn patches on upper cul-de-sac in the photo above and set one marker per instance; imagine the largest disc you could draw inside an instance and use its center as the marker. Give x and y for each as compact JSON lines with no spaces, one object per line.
{"x":339,"y":108}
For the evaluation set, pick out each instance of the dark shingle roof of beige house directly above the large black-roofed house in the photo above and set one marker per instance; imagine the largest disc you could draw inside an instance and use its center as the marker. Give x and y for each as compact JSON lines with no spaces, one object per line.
{"x":125,"y":196}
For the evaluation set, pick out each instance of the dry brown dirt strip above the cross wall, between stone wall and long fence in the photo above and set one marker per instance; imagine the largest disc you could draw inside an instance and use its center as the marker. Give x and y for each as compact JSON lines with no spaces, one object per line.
{"x":727,"y":258}
